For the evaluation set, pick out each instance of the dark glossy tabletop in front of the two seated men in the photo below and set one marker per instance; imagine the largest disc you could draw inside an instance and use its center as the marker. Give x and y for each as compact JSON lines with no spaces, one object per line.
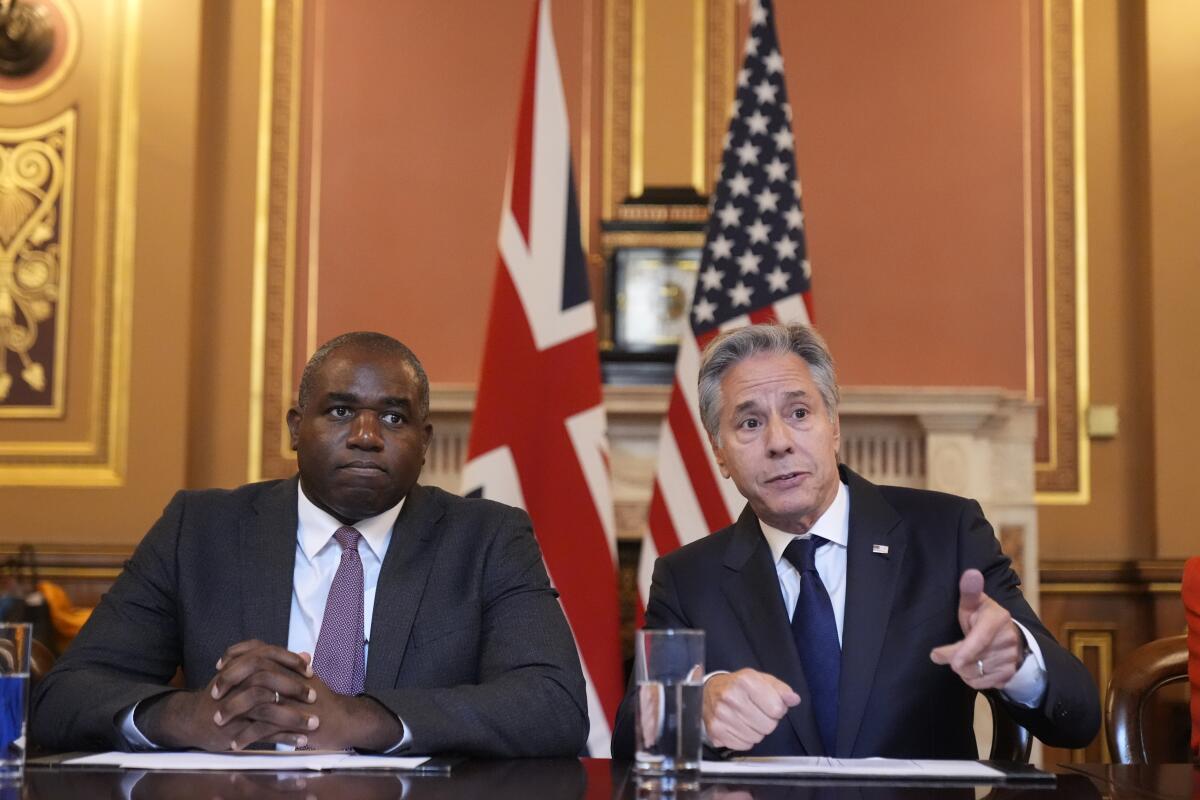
{"x":553,"y":779}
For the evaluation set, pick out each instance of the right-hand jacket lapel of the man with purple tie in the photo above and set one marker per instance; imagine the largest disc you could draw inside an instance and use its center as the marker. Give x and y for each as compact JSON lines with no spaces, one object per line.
{"x":403,"y":579}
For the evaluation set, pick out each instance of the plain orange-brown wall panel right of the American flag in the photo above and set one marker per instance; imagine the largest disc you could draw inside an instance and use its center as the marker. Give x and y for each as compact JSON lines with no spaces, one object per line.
{"x":908,"y":118}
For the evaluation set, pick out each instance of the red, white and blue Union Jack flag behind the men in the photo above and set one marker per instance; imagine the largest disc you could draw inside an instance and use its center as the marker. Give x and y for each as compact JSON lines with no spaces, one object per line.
{"x":538,"y":438}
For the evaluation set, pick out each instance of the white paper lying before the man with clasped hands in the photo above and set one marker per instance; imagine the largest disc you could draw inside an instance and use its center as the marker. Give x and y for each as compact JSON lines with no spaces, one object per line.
{"x":279,"y":761}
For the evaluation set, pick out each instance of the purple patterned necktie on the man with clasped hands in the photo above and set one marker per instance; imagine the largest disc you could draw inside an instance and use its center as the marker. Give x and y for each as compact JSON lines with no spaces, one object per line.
{"x":339,"y":658}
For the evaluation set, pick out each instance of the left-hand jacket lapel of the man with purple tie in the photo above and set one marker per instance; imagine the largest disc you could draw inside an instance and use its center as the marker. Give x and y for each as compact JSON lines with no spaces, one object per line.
{"x":268,"y":564}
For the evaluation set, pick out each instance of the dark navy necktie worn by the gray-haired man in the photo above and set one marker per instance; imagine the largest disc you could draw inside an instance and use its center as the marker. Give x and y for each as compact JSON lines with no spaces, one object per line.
{"x":817,"y":639}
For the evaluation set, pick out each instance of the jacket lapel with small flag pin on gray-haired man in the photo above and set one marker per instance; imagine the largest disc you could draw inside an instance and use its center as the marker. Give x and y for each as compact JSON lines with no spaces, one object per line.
{"x":871,"y":585}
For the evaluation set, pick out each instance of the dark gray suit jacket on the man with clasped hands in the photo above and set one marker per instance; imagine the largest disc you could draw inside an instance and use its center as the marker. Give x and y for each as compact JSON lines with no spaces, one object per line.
{"x":469,"y":643}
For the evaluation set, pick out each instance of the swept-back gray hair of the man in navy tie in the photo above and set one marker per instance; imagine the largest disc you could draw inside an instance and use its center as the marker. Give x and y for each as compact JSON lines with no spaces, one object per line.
{"x":733,"y":347}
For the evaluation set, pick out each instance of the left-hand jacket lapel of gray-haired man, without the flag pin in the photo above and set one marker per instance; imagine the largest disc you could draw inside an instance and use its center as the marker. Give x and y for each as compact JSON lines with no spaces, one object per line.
{"x":752,"y":586}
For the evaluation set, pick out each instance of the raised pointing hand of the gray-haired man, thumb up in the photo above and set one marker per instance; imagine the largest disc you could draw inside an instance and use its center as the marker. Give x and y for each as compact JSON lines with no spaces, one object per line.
{"x":992,"y":648}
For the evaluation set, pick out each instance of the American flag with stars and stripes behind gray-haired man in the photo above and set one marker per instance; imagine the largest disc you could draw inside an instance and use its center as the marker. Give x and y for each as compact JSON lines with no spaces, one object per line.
{"x":754,"y":269}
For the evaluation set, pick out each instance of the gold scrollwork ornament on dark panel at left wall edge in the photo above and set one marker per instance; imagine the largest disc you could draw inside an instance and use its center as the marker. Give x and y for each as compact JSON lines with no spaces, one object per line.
{"x":33,"y":177}
